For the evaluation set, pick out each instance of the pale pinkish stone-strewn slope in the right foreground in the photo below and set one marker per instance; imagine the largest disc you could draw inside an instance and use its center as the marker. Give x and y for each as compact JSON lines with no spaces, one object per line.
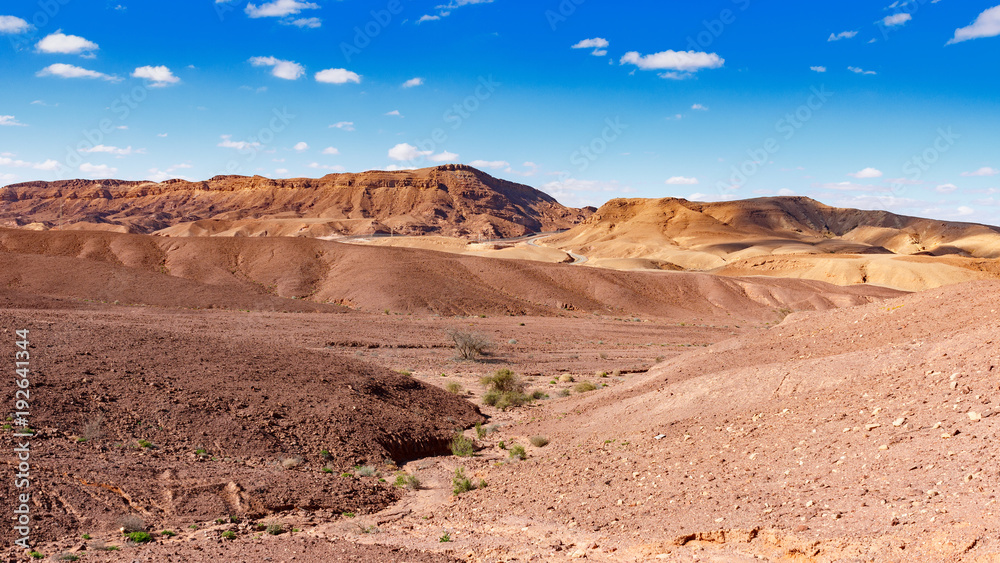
{"x":863,"y":433}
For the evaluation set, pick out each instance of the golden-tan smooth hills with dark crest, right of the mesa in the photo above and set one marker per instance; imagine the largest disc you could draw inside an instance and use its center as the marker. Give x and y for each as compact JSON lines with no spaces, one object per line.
{"x":732,"y":238}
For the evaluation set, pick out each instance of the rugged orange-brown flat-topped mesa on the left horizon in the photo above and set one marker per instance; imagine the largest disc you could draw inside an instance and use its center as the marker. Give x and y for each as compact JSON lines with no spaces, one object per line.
{"x":452,"y":200}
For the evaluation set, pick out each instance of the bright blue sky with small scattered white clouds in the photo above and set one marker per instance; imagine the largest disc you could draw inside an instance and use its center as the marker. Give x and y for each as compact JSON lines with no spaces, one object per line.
{"x":857,"y":104}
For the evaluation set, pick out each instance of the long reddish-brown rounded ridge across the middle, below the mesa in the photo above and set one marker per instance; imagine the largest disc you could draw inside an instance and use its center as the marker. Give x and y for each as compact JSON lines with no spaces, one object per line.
{"x":309,"y":272}
